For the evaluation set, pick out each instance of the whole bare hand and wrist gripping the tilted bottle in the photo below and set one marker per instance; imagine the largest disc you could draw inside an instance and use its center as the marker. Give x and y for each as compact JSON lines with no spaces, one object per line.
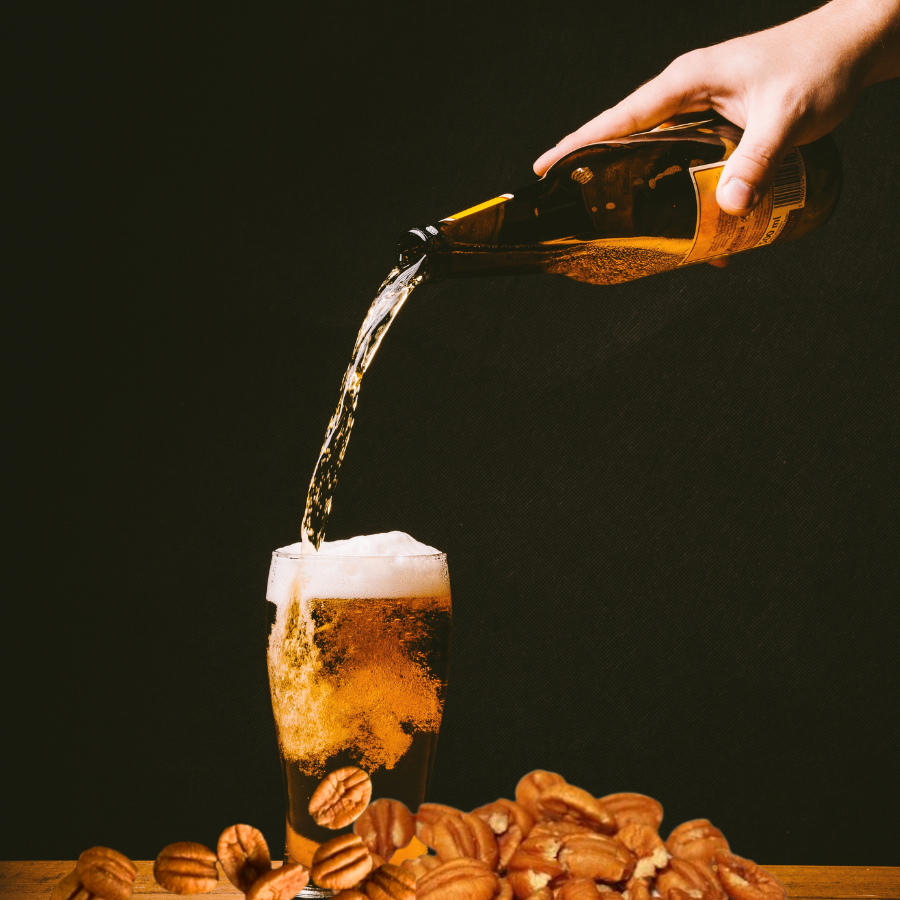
{"x":786,"y":86}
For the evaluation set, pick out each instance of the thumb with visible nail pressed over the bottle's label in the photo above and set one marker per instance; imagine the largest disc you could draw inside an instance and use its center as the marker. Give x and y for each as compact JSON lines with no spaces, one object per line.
{"x":749,"y":171}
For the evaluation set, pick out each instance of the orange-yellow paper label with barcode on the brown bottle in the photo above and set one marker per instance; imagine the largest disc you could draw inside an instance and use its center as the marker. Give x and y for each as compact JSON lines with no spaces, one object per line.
{"x":719,"y":234}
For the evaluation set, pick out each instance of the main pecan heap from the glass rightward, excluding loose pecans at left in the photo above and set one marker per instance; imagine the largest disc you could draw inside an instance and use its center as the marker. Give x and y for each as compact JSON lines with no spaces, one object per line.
{"x":555,"y":841}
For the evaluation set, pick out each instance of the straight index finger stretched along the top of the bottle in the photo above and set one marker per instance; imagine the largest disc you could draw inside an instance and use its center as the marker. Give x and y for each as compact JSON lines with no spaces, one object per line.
{"x":677,"y":89}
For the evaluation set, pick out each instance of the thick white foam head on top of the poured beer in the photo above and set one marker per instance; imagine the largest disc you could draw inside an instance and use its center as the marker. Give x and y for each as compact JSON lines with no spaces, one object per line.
{"x":389,"y":565}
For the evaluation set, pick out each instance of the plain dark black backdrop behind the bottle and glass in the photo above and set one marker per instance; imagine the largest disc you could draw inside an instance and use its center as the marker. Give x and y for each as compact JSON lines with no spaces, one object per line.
{"x":671,"y":508}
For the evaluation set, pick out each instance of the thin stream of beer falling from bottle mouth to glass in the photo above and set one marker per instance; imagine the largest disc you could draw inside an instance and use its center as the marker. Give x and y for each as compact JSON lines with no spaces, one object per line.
{"x":390,"y":297}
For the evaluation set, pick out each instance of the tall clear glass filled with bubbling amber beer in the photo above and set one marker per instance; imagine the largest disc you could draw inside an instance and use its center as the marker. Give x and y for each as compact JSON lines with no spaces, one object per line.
{"x":358,"y":656}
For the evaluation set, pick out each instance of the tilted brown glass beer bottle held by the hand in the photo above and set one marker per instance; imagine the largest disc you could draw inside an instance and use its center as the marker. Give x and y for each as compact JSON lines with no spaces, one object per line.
{"x":622,"y":209}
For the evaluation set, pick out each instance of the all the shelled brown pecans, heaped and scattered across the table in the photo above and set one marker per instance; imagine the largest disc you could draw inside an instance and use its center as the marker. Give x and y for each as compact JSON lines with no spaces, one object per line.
{"x":555,"y":841}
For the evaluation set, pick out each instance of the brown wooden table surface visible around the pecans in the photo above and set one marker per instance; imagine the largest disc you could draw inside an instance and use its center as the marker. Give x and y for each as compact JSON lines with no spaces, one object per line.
{"x":35,"y":879}
